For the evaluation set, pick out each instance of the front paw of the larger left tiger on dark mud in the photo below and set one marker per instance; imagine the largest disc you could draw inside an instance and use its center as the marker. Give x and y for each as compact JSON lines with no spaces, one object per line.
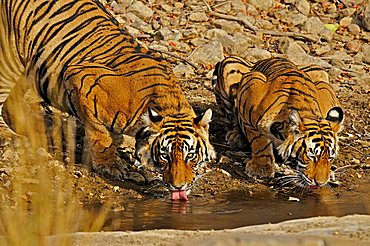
{"x":117,"y":170}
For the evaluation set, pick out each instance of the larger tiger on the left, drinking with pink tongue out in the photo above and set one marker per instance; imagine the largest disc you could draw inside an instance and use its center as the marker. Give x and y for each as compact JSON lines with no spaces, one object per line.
{"x":76,"y":58}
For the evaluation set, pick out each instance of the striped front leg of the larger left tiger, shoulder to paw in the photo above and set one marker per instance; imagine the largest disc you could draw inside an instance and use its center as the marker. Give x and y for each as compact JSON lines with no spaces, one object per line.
{"x":89,"y":103}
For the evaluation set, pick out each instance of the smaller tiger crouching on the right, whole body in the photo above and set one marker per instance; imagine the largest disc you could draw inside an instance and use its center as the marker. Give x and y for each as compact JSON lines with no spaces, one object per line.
{"x":286,"y":114}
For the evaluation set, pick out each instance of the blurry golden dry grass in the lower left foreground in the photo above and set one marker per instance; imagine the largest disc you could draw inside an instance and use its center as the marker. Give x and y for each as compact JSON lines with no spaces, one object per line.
{"x":37,"y":199}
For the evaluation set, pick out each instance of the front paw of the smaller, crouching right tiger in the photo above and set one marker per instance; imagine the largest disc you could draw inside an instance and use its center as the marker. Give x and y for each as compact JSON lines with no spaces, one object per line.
{"x":260,"y":167}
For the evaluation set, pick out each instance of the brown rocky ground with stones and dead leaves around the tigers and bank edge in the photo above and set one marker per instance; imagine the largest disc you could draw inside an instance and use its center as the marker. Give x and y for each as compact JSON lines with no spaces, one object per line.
{"x":194,"y":36}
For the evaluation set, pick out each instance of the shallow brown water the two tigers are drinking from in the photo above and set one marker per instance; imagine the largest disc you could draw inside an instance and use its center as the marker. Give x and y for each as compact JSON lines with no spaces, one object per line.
{"x":236,"y":209}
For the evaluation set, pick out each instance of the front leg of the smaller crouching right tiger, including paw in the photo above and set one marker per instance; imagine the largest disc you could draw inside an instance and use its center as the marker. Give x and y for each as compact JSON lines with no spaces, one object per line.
{"x":262,"y":163}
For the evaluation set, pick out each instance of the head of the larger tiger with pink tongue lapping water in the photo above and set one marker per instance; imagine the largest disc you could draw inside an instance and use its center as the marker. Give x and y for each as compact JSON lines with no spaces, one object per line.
{"x":176,"y":147}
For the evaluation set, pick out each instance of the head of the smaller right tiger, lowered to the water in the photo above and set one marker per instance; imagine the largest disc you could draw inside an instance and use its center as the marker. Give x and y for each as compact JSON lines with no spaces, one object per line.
{"x":310,"y":147}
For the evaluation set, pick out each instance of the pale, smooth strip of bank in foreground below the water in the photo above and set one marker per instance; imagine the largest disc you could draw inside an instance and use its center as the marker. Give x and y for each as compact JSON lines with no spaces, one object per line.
{"x":348,"y":230}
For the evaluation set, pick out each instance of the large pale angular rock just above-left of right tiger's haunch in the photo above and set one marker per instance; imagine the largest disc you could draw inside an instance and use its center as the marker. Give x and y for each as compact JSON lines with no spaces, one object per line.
{"x":210,"y":53}
